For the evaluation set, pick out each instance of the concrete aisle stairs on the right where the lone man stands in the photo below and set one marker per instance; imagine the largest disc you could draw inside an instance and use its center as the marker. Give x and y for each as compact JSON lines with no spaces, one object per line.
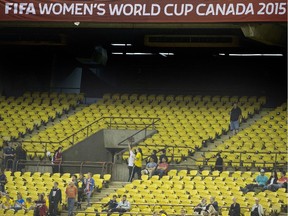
{"x":212,"y":146}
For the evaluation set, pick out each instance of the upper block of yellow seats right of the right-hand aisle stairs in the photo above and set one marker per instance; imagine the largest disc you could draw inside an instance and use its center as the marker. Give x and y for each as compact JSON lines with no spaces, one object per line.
{"x":264,"y":136}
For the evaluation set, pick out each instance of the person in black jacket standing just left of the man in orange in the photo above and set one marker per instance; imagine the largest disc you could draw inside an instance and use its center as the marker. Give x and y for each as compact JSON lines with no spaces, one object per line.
{"x":55,"y":197}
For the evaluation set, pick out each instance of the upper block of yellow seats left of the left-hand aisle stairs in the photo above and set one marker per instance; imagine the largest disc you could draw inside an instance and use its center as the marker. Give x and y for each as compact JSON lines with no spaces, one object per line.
{"x":23,"y":114}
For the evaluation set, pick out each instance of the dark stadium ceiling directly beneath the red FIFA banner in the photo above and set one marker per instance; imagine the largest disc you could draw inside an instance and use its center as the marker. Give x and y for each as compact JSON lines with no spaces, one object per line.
{"x":149,"y":38}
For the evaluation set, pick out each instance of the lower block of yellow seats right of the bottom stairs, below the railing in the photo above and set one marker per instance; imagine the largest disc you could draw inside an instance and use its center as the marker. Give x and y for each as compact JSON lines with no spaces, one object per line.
{"x":182,"y":188}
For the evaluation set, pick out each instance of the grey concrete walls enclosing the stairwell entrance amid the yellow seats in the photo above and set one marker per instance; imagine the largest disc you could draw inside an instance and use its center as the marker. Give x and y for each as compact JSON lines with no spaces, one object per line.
{"x":101,"y":147}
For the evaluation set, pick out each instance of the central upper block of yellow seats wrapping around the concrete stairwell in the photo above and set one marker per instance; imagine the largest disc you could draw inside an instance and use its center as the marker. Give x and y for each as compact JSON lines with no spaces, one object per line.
{"x":186,"y":126}
